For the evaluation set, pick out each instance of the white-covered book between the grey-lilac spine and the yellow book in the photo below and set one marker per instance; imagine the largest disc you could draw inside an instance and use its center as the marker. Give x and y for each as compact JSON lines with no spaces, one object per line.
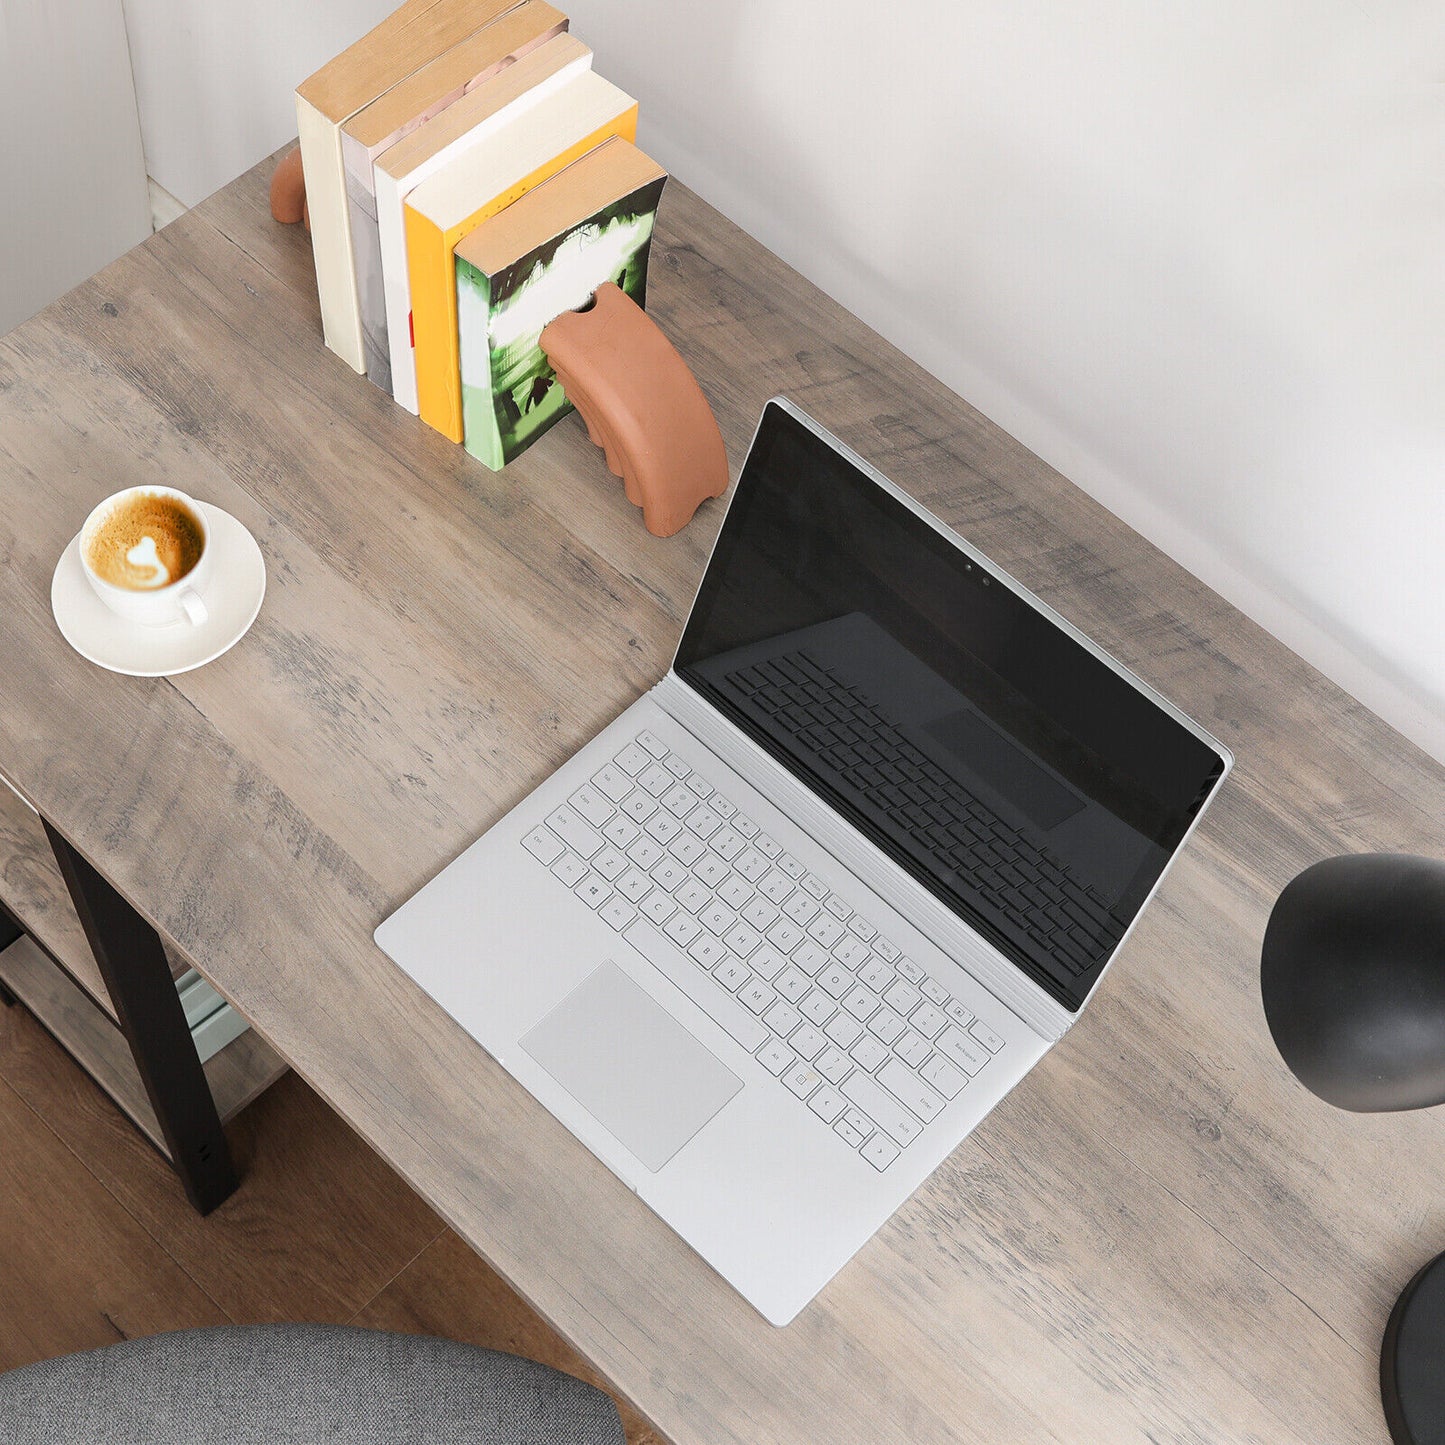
{"x":465,"y":125}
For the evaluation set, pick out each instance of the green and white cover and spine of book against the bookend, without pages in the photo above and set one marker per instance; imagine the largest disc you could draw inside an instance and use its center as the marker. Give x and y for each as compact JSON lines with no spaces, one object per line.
{"x":509,"y":392}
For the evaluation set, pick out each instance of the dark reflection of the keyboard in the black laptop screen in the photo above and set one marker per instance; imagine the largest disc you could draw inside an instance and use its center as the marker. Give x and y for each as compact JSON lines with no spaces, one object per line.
{"x":1014,"y":884}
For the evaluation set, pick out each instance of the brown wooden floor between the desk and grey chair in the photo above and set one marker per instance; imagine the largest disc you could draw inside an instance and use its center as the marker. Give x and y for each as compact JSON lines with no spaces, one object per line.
{"x":99,"y":1245}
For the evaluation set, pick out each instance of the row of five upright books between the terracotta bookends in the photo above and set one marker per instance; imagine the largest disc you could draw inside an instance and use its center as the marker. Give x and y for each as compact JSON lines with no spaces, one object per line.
{"x":470,"y":177}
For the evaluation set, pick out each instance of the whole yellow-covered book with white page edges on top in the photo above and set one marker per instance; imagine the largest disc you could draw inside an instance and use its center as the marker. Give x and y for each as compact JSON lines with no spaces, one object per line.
{"x":476,"y":186}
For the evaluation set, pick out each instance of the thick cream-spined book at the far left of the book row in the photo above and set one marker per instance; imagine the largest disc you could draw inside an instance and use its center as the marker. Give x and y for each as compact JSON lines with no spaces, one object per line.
{"x":404,"y":43}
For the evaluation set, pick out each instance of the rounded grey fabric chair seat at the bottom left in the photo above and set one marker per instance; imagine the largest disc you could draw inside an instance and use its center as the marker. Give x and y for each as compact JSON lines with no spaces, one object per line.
{"x":275,"y":1385}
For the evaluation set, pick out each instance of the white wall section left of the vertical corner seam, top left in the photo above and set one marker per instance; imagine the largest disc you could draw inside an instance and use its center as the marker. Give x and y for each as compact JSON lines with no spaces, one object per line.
{"x":73,"y":184}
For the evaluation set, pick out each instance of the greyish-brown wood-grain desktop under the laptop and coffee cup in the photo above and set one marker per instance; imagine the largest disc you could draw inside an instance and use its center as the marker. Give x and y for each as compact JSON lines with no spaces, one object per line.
{"x":1158,"y":1236}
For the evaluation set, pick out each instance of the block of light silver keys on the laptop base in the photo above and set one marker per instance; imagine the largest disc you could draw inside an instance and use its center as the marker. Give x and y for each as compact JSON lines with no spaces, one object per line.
{"x":860,"y":1035}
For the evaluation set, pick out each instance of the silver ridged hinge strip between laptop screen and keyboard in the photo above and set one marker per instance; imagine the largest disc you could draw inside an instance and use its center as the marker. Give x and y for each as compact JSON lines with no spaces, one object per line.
{"x":865,"y":860}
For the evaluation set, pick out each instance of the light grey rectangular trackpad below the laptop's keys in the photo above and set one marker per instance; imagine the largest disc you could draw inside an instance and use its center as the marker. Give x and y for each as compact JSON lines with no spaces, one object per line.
{"x":631,"y":1066}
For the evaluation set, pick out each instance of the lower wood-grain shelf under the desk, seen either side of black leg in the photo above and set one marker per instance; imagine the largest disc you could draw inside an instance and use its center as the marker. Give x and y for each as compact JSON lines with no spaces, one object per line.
{"x":238,"y":1074}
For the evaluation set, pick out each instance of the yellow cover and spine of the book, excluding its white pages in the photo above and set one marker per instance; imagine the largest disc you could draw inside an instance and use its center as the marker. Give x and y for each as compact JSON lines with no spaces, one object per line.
{"x":434,"y":282}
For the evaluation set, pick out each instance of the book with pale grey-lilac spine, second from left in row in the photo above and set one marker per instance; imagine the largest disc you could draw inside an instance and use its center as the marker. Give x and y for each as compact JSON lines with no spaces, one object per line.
{"x":394,"y":116}
